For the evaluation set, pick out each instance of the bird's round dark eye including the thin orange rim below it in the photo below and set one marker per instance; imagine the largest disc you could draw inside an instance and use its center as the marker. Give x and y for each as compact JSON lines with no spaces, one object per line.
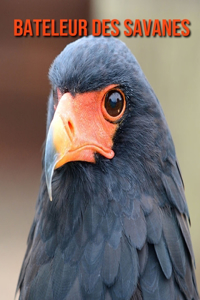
{"x":114,"y":104}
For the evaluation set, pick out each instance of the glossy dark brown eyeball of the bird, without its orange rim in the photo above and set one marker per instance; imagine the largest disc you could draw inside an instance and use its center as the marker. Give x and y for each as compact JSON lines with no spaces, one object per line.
{"x":114,"y":103}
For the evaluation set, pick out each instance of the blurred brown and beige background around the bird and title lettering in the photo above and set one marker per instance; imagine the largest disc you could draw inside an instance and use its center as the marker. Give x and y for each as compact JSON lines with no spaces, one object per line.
{"x":172,"y":66}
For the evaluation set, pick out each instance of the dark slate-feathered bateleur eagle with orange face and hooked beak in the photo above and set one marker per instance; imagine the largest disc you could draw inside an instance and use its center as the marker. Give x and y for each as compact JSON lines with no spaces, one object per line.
{"x":111,"y":220}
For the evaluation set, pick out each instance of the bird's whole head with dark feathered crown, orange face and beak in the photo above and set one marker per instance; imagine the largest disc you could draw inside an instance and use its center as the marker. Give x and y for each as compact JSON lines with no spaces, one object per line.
{"x":101,"y":105}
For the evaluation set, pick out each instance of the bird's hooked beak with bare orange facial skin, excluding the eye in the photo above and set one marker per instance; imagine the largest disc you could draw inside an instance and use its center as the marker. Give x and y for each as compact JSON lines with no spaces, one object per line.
{"x":77,"y":132}
